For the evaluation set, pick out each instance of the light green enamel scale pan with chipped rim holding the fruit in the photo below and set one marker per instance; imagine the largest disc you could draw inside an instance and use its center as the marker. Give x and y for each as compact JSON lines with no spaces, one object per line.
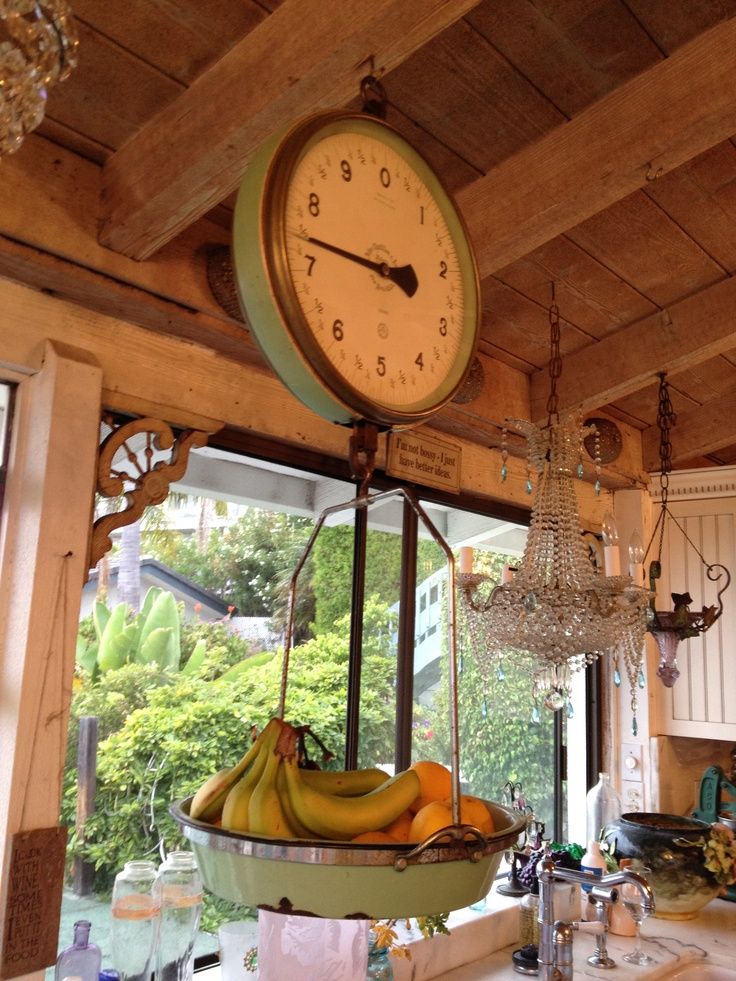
{"x":344,"y":880}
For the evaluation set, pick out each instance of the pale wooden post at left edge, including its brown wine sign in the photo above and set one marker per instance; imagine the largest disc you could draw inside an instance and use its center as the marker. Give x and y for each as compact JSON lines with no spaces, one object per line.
{"x":44,"y":537}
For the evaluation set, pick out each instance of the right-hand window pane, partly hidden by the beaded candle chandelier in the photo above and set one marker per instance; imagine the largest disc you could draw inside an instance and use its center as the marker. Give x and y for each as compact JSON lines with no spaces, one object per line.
{"x":499,"y":742}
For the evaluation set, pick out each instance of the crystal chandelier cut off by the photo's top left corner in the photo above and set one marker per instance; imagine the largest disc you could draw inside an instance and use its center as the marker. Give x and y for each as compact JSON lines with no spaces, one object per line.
{"x":38,"y":48}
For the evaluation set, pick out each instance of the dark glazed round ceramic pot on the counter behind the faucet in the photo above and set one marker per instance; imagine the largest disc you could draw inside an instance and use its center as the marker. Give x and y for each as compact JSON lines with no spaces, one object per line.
{"x":670,"y":846}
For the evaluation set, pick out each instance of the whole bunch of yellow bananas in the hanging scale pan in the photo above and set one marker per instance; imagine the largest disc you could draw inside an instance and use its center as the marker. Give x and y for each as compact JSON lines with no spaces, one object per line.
{"x":267,"y":793}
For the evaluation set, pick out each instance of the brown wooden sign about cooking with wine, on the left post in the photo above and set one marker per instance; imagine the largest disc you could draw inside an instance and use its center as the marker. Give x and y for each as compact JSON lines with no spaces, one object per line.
{"x":35,"y":885}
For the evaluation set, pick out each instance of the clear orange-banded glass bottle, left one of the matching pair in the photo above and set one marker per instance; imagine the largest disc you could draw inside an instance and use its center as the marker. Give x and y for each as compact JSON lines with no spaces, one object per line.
{"x":136,"y":918}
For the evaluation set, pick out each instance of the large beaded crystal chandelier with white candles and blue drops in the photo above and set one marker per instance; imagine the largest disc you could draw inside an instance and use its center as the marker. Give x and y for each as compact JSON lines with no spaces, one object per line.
{"x":557,"y":610}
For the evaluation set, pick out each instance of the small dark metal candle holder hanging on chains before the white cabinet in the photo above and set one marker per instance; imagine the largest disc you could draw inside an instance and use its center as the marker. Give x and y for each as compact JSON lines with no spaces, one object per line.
{"x":669,"y":627}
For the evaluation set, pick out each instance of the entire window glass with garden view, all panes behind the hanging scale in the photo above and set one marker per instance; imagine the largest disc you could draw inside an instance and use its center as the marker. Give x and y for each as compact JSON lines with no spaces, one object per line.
{"x":227,"y":563}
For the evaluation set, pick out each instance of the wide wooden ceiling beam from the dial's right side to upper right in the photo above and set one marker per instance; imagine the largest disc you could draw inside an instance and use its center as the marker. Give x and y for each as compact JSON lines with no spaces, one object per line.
{"x":652,"y":123}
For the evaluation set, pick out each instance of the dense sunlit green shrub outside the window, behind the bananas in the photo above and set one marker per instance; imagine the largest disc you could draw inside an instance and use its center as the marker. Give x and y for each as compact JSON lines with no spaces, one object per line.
{"x":162,"y":736}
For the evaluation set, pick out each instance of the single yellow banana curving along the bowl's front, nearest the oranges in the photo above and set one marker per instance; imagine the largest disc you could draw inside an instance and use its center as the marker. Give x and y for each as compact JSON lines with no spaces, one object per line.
{"x":342,"y":818}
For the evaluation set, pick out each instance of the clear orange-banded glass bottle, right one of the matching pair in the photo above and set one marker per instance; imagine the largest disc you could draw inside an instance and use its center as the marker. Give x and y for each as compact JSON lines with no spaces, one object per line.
{"x":181,"y":907}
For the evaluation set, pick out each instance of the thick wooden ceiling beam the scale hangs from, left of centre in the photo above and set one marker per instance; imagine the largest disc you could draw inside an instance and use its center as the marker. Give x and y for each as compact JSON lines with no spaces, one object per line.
{"x":302,"y":57}
